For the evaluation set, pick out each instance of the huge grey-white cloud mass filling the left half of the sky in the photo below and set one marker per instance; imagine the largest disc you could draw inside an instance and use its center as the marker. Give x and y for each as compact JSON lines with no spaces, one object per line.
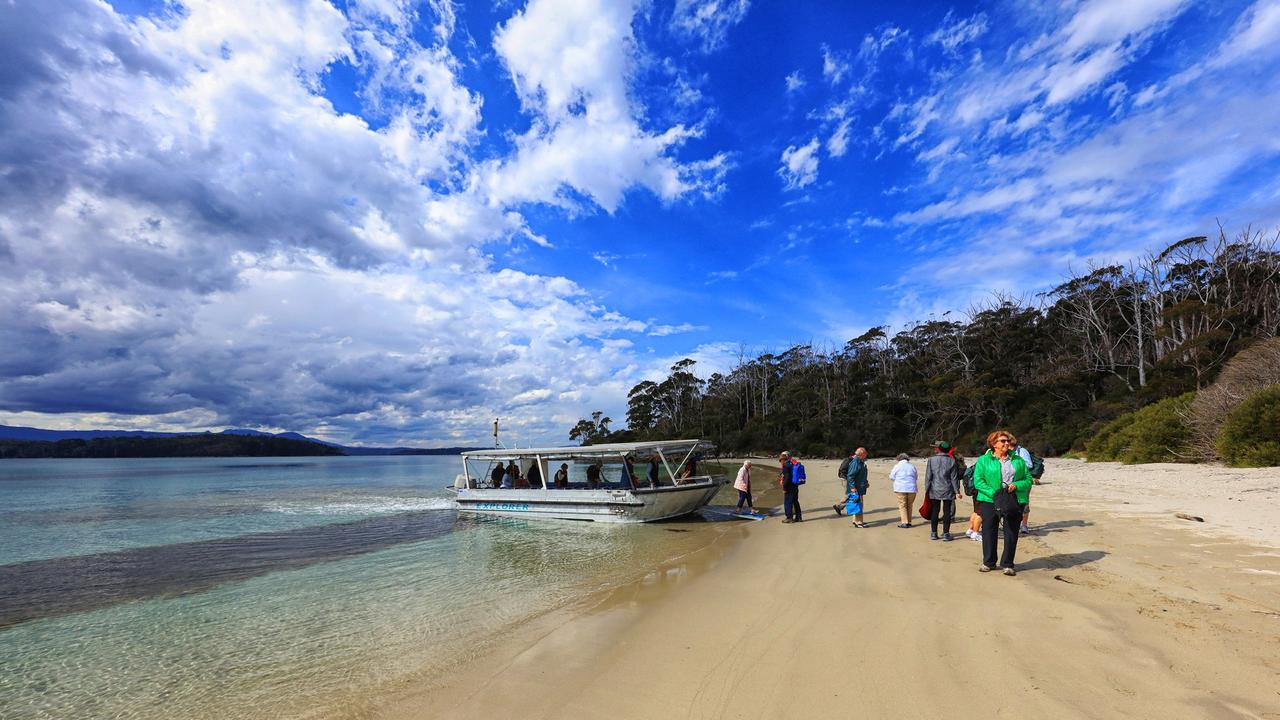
{"x":191,"y":231}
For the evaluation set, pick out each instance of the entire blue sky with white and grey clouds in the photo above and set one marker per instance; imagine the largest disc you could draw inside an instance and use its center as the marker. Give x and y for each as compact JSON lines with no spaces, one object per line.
{"x":390,"y":222}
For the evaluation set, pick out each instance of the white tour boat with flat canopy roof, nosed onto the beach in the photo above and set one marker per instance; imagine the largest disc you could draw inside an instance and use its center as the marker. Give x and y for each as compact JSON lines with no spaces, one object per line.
{"x":680,"y":489}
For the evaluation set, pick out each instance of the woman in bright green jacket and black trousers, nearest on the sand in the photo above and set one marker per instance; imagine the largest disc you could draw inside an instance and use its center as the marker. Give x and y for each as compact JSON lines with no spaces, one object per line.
{"x":996,"y":472}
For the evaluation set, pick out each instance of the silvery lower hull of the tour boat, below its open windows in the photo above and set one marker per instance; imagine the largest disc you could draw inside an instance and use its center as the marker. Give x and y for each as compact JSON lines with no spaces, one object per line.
{"x":602,"y":505}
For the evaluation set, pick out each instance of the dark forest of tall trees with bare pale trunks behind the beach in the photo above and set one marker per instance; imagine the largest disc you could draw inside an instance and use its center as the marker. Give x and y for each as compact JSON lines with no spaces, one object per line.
{"x":1055,"y":368}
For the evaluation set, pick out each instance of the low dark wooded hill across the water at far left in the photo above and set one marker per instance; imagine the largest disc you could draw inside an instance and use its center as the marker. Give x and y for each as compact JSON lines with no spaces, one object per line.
{"x":211,"y":445}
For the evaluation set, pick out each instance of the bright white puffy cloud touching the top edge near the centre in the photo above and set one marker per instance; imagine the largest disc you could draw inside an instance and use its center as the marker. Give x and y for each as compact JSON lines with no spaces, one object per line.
{"x":572,"y":63}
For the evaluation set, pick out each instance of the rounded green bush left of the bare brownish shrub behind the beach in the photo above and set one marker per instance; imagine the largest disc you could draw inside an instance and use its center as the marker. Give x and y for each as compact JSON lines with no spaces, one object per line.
{"x":1158,"y":434}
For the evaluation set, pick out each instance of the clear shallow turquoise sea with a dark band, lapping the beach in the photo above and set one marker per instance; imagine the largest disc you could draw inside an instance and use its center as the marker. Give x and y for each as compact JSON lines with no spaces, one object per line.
{"x":272,"y":587}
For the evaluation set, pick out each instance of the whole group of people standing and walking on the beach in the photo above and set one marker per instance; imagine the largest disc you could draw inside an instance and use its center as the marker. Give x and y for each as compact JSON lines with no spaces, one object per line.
{"x":1000,"y":489}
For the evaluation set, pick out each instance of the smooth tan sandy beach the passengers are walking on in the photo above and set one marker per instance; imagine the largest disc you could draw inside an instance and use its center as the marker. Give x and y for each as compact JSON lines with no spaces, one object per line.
{"x":1118,"y":612}
